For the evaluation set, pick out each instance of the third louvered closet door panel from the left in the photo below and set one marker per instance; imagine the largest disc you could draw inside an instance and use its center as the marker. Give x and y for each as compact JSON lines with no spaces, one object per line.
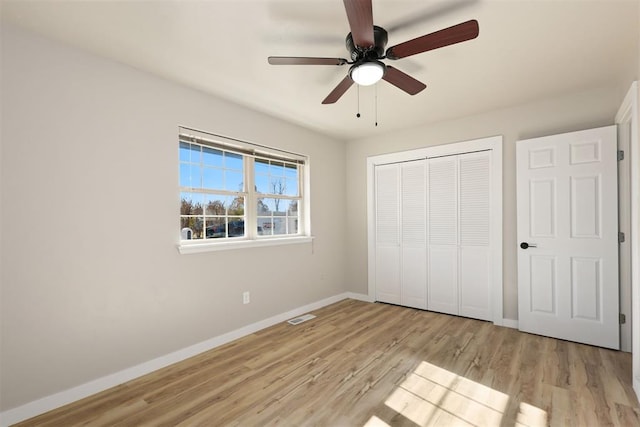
{"x":443,"y":234}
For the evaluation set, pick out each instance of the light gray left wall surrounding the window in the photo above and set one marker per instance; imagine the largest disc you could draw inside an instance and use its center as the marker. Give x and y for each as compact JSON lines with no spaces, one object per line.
{"x":92,"y":282}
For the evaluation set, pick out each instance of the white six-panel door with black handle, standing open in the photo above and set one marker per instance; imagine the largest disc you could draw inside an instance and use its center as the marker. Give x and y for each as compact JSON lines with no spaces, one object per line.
{"x":568,"y":236}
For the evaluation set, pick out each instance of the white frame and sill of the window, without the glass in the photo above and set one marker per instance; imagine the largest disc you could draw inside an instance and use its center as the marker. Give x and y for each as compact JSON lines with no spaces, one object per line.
{"x":250,"y":152}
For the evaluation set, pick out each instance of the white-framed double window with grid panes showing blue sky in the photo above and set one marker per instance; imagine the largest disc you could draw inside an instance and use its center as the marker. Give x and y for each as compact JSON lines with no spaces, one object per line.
{"x":236,"y":191}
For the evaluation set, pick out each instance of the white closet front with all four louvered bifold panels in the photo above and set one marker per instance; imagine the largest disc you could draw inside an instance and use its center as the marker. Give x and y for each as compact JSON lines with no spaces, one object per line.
{"x":433,"y":246}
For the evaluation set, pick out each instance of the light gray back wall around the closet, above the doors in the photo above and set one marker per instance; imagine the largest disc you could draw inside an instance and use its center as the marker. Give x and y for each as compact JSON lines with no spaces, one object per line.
{"x":572,"y":112}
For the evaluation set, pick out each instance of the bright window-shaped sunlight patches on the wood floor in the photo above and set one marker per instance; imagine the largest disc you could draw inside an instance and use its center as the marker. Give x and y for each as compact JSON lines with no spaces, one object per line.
{"x":434,"y":396}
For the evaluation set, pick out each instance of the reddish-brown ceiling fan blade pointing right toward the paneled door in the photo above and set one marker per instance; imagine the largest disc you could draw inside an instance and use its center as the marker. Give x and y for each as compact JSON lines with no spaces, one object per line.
{"x":448,"y":36}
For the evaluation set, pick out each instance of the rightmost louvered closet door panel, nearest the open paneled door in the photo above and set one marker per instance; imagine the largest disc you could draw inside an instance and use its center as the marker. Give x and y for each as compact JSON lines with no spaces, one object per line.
{"x":474,"y":198}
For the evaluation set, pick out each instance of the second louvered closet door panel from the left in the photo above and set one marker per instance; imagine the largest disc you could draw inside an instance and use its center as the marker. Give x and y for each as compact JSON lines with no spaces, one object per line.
{"x":413,"y":288}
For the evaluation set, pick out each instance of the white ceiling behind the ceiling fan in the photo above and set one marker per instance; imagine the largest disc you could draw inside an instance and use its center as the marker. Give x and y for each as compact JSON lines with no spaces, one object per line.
{"x":526,"y":50}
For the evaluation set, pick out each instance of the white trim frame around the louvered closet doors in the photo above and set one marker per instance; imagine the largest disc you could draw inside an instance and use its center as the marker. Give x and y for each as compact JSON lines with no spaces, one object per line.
{"x":494,"y":144}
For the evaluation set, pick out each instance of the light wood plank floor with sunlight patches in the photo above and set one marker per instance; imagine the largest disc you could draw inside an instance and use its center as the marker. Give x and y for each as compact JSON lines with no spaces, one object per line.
{"x":362,"y":364}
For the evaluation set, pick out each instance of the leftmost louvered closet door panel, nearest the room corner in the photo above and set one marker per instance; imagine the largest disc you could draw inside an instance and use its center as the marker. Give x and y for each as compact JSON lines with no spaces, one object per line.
{"x":387,"y":223}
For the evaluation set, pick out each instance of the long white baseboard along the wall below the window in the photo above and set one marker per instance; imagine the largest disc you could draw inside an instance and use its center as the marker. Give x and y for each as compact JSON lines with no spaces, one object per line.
{"x":65,"y":397}
